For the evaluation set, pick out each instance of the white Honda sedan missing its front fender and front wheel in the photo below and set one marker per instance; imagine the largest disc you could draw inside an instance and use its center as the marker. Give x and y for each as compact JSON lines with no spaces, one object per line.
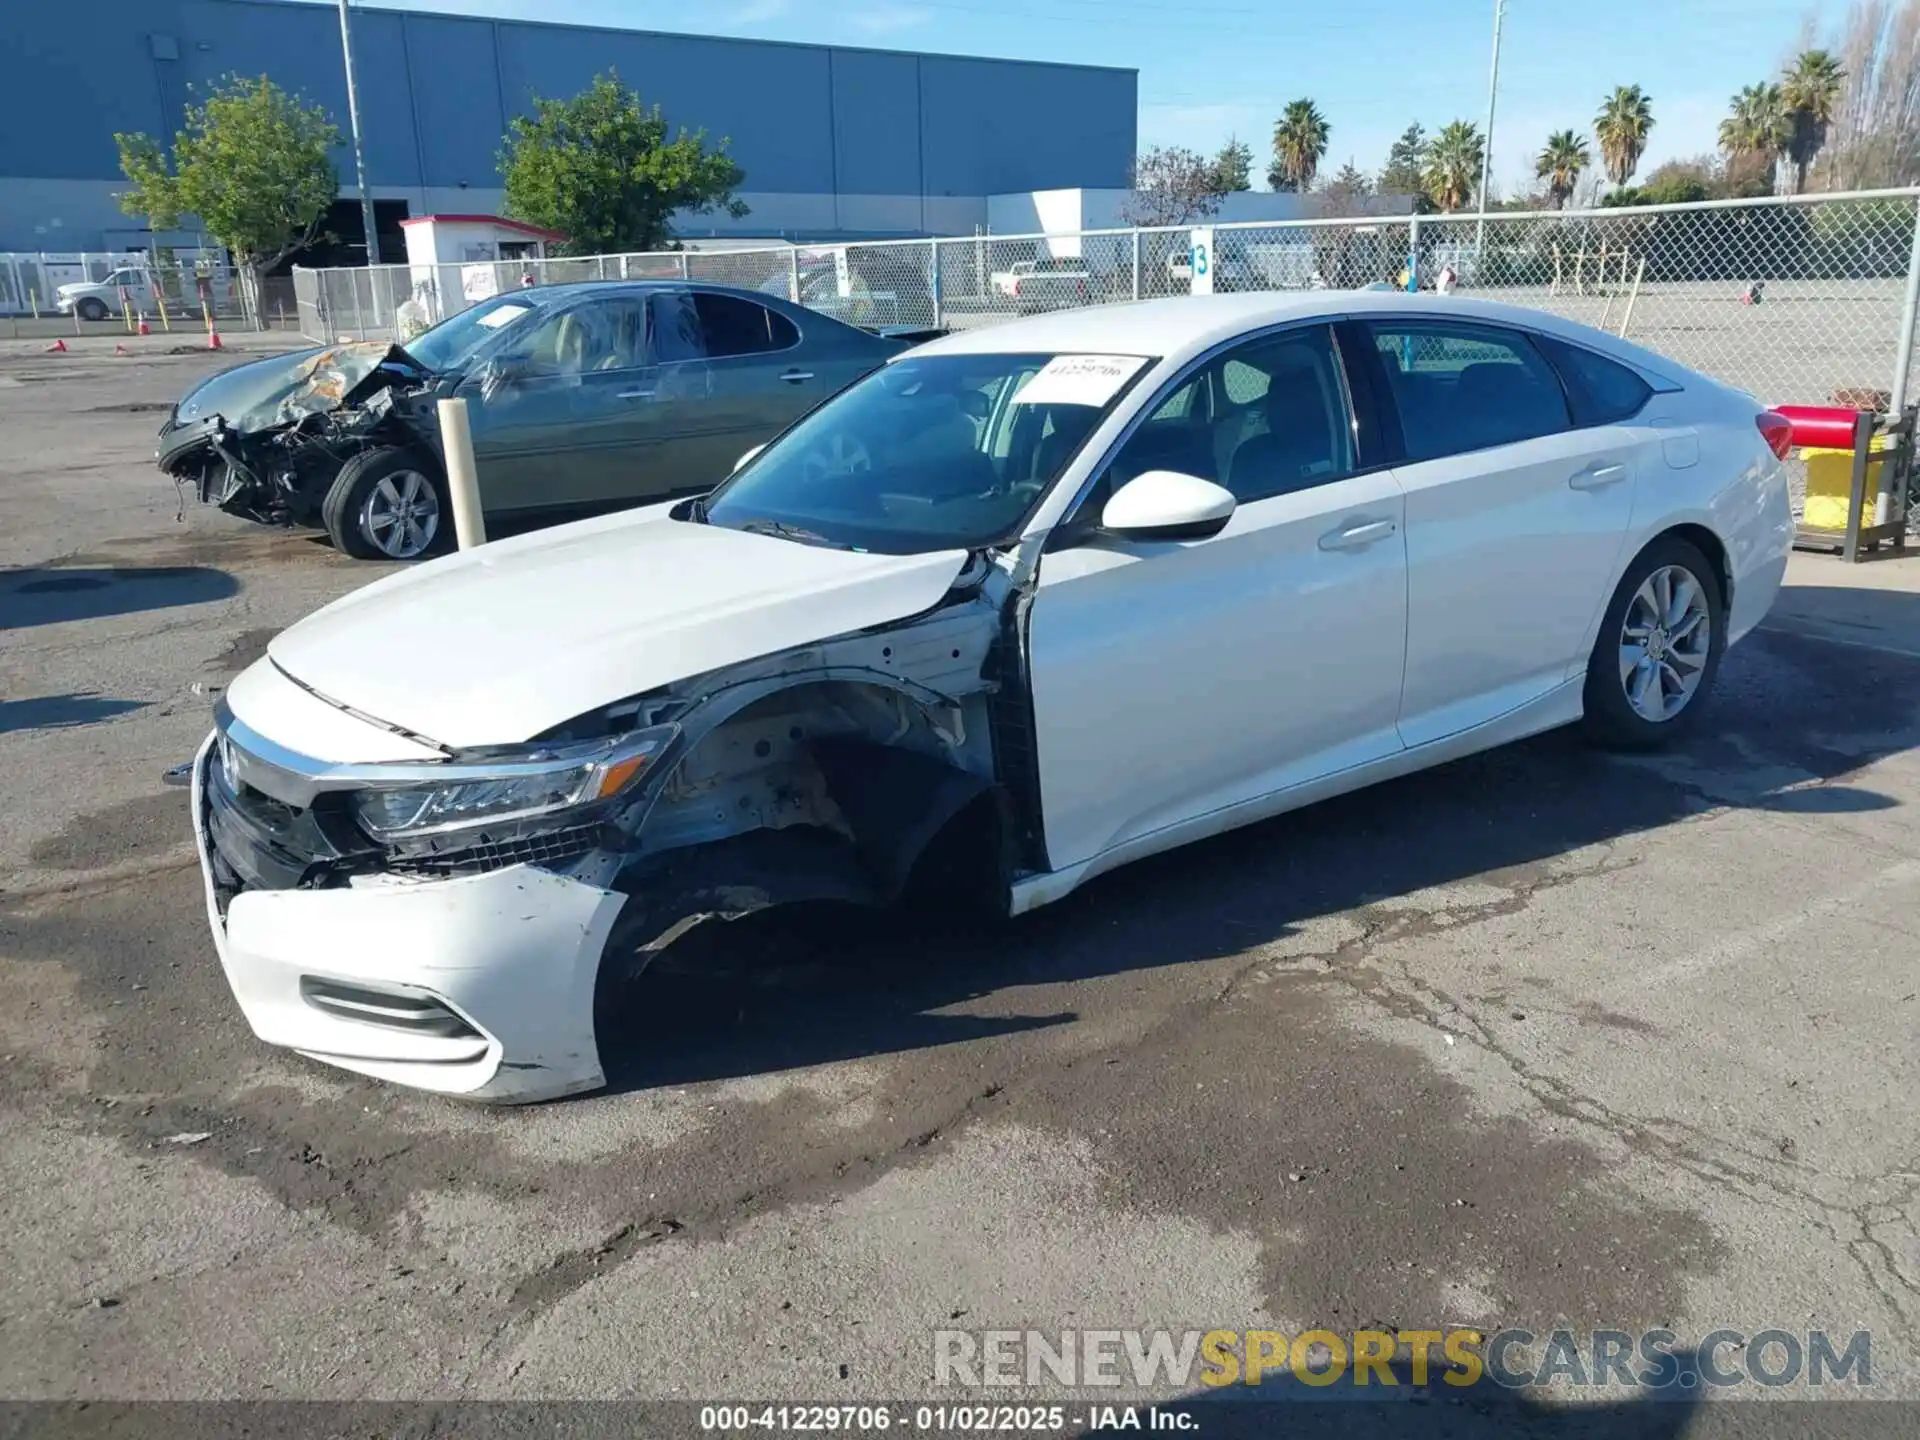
{"x":1024,"y":606}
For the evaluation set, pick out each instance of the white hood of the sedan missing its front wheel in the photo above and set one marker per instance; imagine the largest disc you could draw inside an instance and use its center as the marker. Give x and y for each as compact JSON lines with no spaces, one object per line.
{"x":506,"y":642}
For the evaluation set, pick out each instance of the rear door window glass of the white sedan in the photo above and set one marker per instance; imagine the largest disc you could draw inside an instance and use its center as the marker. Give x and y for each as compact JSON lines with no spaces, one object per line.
{"x":1462,"y":389}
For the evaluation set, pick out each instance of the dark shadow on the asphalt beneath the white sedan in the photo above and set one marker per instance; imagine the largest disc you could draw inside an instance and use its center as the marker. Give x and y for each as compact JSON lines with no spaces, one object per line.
{"x":802,"y":988}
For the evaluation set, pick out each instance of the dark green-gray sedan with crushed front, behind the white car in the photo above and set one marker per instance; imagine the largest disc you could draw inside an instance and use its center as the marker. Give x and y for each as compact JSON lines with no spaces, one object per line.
{"x":581,"y":398}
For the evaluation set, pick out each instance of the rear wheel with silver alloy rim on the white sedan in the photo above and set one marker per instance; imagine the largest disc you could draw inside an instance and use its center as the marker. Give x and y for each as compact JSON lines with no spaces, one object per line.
{"x":1660,"y":648}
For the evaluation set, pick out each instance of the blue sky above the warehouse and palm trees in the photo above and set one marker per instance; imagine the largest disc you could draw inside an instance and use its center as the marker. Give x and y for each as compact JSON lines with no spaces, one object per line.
{"x":1218,"y":68}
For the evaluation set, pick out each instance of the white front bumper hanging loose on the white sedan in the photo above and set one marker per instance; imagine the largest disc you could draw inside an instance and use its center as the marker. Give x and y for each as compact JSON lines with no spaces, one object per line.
{"x":479,"y":986}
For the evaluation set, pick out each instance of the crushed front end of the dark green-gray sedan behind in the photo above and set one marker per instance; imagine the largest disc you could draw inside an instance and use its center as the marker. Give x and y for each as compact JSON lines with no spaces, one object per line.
{"x":268,"y":439}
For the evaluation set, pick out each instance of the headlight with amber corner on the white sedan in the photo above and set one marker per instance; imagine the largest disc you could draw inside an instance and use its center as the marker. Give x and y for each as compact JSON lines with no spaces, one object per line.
{"x":512,"y":790}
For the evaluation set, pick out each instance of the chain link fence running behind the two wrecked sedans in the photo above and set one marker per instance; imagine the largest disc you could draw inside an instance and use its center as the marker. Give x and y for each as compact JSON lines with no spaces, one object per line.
{"x":1798,"y":300}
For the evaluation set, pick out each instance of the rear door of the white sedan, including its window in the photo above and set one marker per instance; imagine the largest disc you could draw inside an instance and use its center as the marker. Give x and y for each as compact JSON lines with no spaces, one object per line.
{"x":1516,"y":517}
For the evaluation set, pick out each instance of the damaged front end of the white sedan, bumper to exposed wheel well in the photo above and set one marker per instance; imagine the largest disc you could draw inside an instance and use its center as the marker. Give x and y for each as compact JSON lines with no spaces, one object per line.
{"x":510,"y":898}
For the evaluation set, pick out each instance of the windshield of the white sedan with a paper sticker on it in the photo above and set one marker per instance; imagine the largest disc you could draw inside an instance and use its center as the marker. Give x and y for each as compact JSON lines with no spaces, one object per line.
{"x":938,"y":452}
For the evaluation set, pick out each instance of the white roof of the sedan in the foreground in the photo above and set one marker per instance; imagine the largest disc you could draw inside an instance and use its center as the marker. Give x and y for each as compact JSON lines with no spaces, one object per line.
{"x":1178,"y":327}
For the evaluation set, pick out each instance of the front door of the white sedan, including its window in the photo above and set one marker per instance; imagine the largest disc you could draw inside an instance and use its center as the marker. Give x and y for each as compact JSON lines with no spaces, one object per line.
{"x":1180,"y":679}
